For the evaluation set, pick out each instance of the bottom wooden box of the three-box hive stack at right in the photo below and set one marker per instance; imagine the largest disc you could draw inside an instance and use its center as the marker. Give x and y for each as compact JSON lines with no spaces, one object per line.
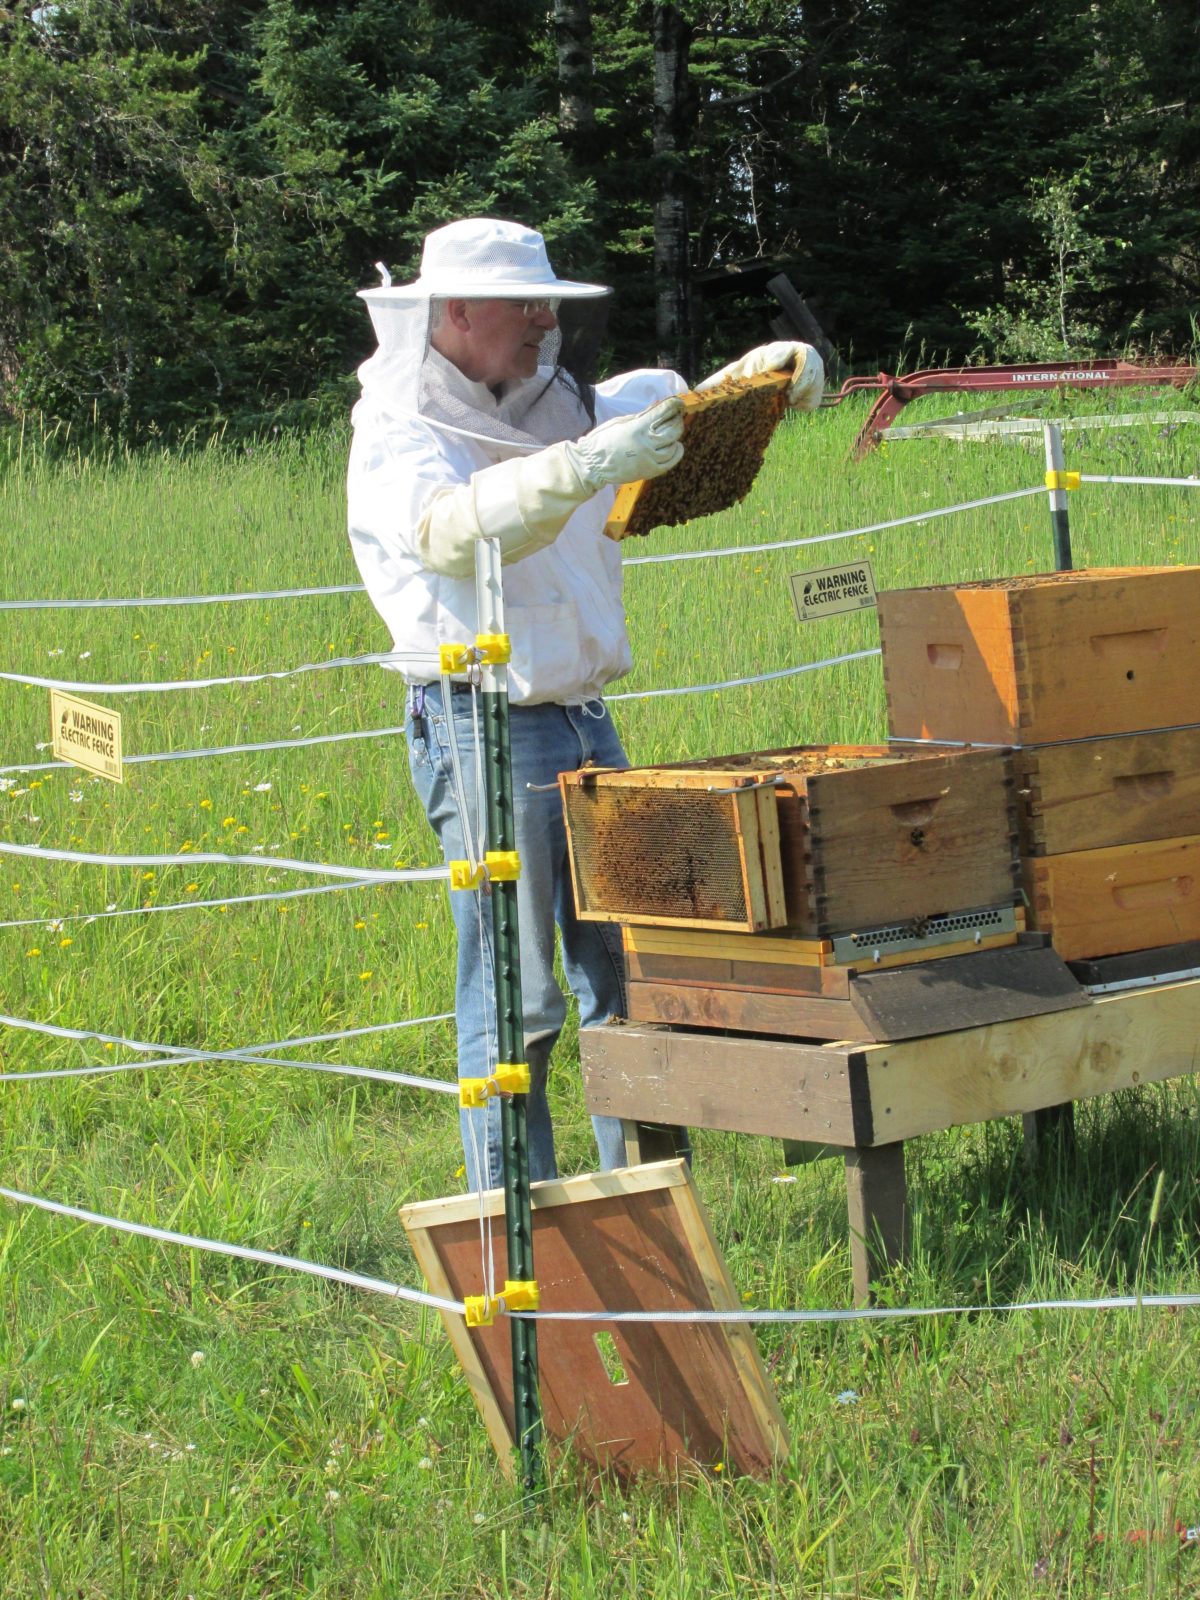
{"x":1124,"y":898}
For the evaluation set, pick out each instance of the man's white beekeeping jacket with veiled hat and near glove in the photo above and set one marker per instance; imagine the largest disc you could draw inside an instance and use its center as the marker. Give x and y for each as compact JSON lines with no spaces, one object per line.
{"x":425,"y":431}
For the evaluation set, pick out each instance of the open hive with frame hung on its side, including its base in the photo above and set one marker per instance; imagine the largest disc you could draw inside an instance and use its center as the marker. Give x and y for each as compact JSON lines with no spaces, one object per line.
{"x":758,"y":890}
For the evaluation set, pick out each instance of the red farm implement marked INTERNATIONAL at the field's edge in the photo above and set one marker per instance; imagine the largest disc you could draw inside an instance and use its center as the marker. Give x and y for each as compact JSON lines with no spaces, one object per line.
{"x":895,"y":393}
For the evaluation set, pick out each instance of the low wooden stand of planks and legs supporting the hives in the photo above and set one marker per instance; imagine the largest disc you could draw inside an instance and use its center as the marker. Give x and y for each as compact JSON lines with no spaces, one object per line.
{"x":870,"y":1098}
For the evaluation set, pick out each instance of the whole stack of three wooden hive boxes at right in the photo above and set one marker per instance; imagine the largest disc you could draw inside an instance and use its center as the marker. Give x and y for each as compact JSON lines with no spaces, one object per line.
{"x":1092,"y":676}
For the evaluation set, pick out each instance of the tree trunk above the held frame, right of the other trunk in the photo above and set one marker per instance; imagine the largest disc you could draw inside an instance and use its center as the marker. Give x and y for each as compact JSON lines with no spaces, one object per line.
{"x":673,"y":282}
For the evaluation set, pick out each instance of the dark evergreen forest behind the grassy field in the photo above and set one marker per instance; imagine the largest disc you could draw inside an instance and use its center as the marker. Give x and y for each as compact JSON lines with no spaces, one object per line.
{"x":191,"y":191}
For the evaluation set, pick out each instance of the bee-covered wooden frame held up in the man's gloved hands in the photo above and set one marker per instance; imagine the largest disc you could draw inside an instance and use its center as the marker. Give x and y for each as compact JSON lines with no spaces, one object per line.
{"x":726,"y":436}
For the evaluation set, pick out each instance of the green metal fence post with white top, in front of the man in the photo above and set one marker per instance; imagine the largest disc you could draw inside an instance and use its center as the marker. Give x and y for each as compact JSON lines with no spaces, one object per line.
{"x":510,"y":1015}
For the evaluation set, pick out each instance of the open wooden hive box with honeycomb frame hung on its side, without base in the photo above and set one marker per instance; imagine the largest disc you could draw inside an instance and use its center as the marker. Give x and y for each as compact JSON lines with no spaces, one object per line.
{"x":820,"y":839}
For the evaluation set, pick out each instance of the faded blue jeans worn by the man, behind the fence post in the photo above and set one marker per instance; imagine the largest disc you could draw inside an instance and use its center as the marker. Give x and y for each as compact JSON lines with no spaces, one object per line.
{"x":546,"y":742}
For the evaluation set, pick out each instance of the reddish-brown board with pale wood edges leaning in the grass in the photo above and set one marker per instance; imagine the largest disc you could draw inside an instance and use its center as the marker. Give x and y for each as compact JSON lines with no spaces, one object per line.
{"x":628,"y":1241}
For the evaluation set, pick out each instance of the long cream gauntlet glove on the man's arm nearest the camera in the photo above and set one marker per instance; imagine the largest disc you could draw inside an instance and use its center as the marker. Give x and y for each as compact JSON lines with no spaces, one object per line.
{"x":527,"y":503}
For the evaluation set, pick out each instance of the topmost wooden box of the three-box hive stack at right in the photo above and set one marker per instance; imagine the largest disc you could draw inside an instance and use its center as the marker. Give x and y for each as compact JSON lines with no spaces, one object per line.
{"x":1052,"y":657}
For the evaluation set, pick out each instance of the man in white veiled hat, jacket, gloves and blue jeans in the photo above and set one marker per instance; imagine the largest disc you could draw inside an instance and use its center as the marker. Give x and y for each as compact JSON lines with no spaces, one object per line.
{"x":479,"y":417}
